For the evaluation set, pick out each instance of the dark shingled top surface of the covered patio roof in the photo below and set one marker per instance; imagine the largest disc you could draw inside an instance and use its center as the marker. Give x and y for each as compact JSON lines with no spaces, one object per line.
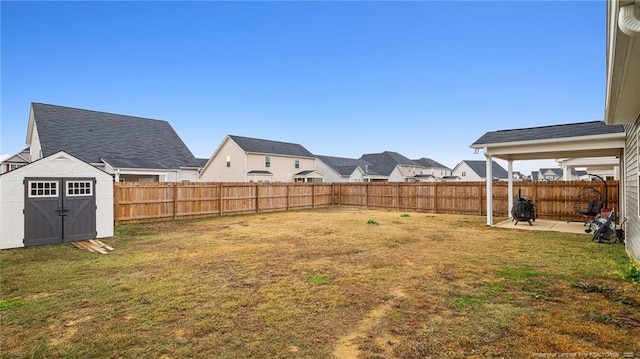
{"x":548,"y":132}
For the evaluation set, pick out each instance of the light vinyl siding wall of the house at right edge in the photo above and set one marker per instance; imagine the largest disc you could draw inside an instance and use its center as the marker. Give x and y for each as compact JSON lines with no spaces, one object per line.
{"x":630,"y":185}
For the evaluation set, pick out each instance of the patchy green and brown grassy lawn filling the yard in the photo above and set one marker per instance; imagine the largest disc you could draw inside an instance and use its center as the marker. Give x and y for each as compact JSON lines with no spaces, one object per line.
{"x":339,"y":282}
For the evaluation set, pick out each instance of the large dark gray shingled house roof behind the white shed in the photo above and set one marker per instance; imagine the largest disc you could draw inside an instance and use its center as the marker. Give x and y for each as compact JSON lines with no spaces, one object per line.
{"x":133,"y":142}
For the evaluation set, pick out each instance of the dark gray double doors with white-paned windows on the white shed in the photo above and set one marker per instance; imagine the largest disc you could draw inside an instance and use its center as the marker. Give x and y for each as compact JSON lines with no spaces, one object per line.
{"x":59,"y":210}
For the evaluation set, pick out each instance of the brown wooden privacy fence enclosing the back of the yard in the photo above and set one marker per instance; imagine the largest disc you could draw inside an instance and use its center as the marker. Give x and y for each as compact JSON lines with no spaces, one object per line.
{"x":140,"y":202}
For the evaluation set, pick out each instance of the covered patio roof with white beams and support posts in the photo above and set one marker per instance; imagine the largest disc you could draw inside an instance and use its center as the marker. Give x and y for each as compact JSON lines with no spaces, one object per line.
{"x":573,"y":140}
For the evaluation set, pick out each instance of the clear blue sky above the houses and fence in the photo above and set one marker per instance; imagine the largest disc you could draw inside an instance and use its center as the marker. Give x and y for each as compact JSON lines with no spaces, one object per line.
{"x":424,"y":79}
